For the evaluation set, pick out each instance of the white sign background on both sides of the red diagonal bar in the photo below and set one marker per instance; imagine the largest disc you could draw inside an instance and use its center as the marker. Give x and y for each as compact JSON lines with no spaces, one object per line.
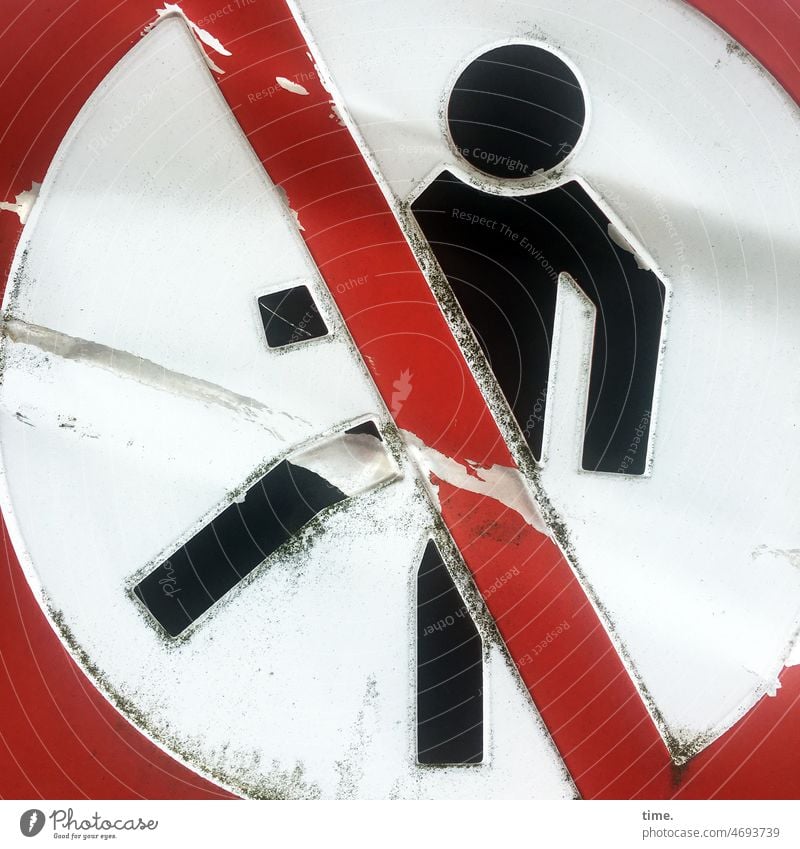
{"x":170,"y":344}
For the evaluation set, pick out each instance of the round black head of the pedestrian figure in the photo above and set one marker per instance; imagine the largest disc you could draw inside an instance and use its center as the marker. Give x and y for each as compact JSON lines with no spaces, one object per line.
{"x":516,"y":110}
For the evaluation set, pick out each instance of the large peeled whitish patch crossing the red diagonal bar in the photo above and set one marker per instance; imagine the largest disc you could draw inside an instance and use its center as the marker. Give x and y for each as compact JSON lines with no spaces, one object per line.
{"x":502,"y":483}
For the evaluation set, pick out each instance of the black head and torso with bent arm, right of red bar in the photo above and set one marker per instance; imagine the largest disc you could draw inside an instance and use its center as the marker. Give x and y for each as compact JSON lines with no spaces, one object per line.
{"x":515,"y":112}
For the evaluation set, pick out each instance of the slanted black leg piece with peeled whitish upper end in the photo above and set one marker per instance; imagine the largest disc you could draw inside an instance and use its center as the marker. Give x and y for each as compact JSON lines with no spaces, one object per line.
{"x":249,"y":530}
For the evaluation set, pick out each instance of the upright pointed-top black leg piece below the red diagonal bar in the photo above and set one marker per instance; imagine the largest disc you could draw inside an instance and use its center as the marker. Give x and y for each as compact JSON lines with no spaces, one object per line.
{"x":449,"y":670}
